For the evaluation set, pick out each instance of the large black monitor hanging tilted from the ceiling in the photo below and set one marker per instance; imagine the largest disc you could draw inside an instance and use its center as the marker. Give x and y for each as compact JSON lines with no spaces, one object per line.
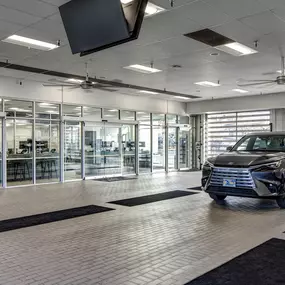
{"x":94,"y":25}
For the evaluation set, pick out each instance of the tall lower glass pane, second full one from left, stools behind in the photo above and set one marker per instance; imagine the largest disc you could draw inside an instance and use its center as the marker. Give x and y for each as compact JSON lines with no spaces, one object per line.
{"x":47,"y":151}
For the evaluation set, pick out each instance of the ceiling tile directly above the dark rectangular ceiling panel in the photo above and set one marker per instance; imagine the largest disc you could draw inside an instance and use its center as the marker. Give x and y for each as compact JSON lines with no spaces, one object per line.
{"x":206,"y":15}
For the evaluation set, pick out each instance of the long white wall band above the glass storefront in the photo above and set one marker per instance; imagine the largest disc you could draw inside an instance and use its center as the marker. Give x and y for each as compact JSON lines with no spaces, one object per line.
{"x":35,"y":91}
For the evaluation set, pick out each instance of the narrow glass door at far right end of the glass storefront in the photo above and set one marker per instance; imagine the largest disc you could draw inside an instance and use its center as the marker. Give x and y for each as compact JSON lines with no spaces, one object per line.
{"x":185,"y":153}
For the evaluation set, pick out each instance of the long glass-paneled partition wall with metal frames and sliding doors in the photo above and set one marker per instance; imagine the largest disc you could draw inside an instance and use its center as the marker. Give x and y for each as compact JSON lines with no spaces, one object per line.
{"x":48,"y":142}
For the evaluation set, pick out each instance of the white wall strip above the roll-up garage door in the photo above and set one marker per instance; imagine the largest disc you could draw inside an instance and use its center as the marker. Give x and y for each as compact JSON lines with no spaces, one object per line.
{"x":256,"y":102}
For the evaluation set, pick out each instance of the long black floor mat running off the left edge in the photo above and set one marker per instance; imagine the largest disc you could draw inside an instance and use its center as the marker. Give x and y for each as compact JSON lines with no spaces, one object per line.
{"x":39,"y":219}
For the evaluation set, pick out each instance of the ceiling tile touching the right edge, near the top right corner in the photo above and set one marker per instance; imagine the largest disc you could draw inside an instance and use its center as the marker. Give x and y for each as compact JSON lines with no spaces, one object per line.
{"x":264,"y":23}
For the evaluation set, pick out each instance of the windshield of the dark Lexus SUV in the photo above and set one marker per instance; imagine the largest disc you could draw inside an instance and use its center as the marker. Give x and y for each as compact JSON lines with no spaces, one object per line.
{"x":264,"y":142}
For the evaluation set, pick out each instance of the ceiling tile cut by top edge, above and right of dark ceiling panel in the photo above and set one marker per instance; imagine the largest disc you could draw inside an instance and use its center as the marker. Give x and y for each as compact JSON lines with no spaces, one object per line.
{"x":238,"y":9}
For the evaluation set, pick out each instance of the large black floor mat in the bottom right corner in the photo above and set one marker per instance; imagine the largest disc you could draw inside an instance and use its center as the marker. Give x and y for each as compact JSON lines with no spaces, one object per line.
{"x":262,"y":265}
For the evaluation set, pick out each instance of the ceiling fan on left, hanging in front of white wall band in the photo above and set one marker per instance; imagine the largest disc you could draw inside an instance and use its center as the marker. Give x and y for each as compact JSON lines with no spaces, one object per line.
{"x":86,"y":84}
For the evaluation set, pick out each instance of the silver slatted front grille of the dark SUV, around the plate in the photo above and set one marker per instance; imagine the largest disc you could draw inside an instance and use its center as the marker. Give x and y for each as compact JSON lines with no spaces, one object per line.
{"x":242,"y":177}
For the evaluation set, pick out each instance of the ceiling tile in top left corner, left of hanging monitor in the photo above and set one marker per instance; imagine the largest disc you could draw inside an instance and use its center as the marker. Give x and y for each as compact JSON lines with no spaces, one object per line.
{"x":33,"y":7}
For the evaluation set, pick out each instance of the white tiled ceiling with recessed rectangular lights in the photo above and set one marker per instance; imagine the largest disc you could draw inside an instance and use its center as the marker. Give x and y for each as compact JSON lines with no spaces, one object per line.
{"x":161,"y":41}
